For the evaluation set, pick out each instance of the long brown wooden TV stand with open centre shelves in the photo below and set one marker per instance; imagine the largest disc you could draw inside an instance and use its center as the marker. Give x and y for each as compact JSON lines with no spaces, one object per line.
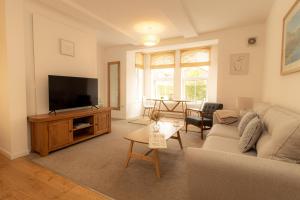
{"x":50,"y":132}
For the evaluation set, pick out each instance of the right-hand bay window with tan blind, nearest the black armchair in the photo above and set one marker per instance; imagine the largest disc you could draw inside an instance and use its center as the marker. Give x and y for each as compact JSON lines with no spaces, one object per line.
{"x":194,"y":73}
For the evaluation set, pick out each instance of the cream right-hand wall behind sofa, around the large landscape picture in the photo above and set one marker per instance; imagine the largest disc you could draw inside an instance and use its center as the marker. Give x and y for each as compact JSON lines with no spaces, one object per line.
{"x":277,"y":89}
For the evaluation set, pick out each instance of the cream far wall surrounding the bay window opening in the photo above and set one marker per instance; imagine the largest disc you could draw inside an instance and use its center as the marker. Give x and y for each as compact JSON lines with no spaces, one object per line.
{"x":231,"y":41}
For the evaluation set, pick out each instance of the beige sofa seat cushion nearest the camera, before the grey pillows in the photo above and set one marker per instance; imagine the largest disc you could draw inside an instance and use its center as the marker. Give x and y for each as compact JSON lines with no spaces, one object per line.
{"x":230,"y":145}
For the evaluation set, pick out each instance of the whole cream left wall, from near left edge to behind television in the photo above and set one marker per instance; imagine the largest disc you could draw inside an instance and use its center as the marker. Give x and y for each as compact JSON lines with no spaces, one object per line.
{"x":29,"y":51}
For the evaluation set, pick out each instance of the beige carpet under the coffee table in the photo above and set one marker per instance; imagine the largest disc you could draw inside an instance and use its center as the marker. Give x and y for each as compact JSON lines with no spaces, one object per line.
{"x":99,"y":164}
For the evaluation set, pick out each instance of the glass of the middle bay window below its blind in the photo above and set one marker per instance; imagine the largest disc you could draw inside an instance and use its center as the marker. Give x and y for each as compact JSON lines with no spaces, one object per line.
{"x":162,"y":82}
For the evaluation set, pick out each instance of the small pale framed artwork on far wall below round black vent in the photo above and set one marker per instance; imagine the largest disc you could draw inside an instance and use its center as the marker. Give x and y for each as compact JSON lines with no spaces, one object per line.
{"x":239,"y":64}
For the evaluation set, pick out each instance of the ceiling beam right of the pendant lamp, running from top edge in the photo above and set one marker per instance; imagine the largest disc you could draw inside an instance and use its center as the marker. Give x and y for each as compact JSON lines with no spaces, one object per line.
{"x":178,"y":15}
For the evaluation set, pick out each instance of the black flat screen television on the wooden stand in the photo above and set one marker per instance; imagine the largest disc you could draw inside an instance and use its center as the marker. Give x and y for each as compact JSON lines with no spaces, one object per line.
{"x":72,"y":92}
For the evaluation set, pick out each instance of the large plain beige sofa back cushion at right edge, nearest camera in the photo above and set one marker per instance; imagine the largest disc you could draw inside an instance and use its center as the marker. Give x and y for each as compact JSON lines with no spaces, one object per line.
{"x":281,"y":139}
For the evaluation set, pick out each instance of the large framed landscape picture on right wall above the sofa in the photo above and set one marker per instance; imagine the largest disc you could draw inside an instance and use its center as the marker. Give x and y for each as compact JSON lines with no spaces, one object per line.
{"x":291,"y":41}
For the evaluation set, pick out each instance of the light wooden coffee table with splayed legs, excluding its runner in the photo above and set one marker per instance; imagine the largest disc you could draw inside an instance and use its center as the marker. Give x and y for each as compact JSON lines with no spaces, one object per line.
{"x":168,"y":129}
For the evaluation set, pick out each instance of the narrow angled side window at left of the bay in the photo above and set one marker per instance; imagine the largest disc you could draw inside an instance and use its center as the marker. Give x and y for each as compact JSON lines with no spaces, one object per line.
{"x":139,"y":73}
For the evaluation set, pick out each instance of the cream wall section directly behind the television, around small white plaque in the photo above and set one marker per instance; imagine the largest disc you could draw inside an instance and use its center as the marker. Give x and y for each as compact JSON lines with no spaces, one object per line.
{"x":43,"y":30}
